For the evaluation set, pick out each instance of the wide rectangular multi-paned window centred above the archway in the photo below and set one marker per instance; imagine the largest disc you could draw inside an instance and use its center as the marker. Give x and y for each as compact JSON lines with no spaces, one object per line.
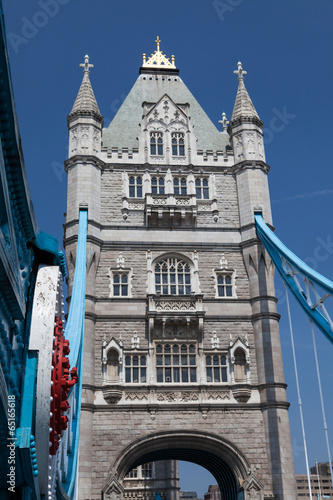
{"x":176,"y":363}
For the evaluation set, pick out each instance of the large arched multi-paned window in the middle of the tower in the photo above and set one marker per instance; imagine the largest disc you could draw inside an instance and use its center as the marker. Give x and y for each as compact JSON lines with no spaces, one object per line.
{"x":172,"y":277}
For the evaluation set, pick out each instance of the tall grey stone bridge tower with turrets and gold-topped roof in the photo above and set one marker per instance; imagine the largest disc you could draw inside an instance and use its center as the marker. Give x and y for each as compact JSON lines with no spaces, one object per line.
{"x":182,"y":350}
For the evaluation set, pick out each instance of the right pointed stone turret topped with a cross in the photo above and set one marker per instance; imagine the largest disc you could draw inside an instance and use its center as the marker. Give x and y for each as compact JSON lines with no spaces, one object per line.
{"x":245,"y":127}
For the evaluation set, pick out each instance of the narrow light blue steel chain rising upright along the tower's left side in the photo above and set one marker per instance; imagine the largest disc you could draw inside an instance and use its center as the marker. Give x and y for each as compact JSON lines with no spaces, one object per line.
{"x":75,"y":335}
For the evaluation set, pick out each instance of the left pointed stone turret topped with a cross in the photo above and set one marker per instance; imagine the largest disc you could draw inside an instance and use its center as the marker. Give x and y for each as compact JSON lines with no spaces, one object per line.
{"x":85,"y":121}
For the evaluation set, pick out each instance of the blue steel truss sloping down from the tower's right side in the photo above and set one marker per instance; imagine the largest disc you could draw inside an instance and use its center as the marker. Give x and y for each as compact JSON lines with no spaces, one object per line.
{"x":292,"y":269}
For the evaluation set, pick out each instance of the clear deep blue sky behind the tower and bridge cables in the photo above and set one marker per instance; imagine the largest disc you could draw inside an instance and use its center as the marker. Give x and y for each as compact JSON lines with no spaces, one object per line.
{"x":286,"y":48}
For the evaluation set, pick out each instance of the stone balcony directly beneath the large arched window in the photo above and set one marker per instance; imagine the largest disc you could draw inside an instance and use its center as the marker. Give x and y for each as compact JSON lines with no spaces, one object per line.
{"x":173,"y":316}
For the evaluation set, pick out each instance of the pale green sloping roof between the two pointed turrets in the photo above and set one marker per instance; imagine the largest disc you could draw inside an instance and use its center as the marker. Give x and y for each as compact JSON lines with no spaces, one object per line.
{"x":124,"y":128}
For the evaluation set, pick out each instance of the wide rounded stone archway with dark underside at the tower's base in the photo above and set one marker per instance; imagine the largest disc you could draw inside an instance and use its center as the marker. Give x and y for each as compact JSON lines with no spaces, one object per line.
{"x":219,"y":456}
